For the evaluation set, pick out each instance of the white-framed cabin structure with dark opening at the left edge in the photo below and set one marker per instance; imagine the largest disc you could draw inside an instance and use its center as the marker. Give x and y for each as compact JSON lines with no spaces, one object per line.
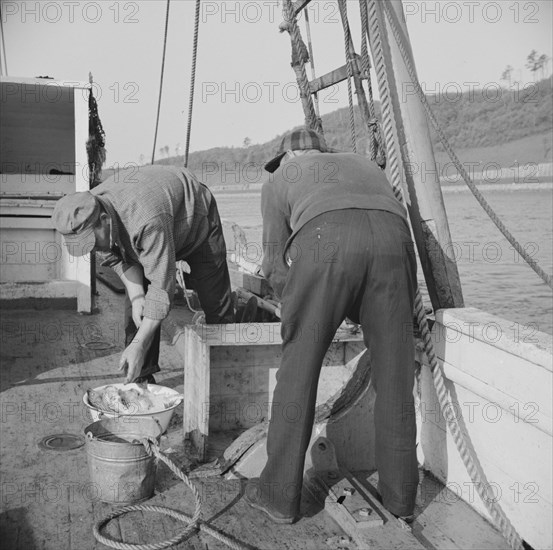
{"x":44,"y":132}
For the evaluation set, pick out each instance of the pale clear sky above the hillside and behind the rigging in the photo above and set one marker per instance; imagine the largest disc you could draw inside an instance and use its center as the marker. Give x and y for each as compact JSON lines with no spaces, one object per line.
{"x":245,"y":87}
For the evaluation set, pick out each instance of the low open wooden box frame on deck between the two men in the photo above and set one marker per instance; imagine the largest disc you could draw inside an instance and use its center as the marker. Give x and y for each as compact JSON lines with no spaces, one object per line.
{"x":229,"y":376}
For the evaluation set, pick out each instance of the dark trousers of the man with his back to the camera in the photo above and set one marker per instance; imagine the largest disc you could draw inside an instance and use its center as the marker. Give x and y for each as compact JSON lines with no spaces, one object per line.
{"x":360,"y":264}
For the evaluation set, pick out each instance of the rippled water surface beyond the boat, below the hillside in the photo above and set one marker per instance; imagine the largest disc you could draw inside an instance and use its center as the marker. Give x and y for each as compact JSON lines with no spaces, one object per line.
{"x":493,"y":275}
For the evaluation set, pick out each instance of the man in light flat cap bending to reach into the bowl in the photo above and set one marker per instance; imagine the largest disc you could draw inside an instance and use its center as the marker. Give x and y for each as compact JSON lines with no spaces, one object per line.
{"x":145,"y":223}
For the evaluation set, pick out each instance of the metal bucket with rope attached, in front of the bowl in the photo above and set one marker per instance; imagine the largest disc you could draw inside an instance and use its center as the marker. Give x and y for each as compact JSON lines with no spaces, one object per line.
{"x":121,"y":471}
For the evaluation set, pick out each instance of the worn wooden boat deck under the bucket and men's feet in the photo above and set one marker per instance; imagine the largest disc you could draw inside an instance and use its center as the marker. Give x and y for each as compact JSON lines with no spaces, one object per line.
{"x":48,"y":501}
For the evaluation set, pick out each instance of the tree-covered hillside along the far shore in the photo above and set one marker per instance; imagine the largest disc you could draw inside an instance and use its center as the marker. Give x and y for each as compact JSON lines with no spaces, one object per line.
{"x":484,"y":126}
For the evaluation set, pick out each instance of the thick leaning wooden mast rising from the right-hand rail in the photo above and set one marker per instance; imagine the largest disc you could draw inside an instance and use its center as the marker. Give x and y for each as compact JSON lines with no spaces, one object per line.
{"x":426,"y":208}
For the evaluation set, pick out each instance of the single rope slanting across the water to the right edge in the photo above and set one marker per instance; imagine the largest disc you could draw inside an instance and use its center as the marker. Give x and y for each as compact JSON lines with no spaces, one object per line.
{"x":399,"y":38}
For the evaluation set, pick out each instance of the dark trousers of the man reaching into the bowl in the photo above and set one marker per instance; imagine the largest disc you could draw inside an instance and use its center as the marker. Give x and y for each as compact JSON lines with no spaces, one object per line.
{"x":210,"y":279}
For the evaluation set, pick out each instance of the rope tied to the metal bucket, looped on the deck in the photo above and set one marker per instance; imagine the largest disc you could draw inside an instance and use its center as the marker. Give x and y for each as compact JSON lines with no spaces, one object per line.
{"x":194,"y":522}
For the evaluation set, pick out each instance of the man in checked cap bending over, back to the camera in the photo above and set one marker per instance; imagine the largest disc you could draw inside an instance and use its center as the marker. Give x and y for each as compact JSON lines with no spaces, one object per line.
{"x":337,"y":244}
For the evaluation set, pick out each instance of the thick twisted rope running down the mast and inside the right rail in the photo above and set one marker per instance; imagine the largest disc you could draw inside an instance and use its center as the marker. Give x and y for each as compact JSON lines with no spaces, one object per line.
{"x":469,"y":461}
